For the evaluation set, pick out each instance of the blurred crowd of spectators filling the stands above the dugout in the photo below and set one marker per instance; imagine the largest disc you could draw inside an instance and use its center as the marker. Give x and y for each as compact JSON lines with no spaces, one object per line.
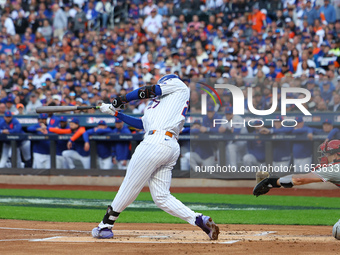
{"x":85,"y":52}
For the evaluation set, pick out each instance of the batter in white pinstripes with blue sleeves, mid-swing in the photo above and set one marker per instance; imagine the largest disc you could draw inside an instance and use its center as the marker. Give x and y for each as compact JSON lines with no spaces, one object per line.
{"x":156,"y":155}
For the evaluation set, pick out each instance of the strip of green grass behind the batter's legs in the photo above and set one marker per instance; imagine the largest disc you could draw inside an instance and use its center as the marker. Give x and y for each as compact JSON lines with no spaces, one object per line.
{"x":275,"y":209}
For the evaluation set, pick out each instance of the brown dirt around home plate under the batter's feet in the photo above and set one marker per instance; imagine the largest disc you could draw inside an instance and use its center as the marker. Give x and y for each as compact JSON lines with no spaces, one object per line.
{"x":28,"y":237}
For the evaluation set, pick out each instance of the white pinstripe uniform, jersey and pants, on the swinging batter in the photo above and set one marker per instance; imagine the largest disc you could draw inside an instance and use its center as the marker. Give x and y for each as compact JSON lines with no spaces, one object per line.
{"x":156,"y":155}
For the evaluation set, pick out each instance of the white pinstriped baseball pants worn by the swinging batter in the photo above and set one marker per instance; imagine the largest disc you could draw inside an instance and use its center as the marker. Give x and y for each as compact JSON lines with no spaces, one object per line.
{"x":152,"y":162}
